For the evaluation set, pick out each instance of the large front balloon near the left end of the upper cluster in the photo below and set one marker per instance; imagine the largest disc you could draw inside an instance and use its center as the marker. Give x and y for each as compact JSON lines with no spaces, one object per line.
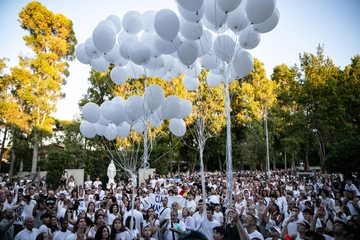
{"x":104,"y":38}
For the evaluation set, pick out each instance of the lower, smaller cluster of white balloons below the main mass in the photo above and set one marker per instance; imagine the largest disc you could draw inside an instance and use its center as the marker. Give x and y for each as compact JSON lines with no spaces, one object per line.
{"x":114,"y":118}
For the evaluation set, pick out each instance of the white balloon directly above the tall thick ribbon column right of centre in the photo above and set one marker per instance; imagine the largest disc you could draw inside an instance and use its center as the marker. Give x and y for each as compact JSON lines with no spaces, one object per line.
{"x":224,"y":47}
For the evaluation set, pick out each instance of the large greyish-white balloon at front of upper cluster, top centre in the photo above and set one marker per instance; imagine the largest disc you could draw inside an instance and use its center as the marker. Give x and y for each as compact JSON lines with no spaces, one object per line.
{"x":166,"y":24}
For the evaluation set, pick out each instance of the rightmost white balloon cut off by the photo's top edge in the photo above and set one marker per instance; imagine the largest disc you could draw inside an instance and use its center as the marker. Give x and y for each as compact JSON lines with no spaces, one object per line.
{"x":258,"y":11}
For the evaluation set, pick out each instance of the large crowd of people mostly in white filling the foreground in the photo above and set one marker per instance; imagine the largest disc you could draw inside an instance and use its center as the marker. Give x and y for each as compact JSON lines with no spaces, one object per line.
{"x":280,"y":205}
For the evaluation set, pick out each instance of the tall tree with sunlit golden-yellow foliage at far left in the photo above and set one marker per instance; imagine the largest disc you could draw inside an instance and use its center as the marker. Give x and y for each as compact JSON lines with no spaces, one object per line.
{"x":39,"y":78}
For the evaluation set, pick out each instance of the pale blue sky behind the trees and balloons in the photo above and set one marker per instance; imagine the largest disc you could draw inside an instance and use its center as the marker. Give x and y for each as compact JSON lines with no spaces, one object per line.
{"x":303,"y":25}
